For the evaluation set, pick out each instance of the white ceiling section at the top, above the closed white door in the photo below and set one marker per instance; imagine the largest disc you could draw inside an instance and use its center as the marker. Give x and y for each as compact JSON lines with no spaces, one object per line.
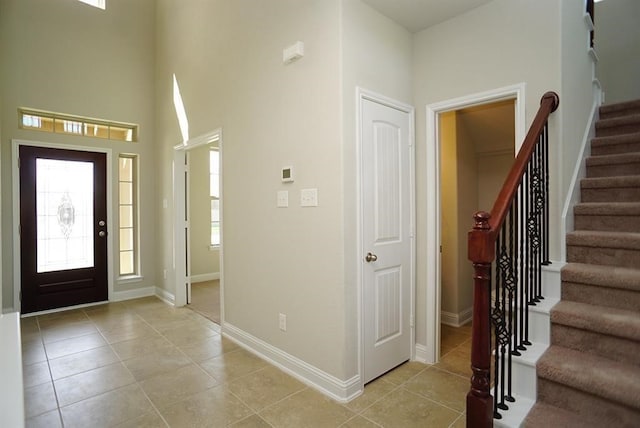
{"x":416,"y":15}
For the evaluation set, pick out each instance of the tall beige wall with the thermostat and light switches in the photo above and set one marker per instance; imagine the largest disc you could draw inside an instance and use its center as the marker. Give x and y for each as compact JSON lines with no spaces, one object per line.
{"x":227,"y":58}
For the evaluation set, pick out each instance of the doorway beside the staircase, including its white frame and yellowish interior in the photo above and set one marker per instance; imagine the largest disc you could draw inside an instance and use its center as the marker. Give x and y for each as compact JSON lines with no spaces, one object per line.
{"x":471,"y":144}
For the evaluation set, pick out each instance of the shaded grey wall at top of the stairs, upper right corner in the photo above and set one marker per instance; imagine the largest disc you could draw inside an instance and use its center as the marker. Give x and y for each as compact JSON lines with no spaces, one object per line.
{"x":617,"y":43}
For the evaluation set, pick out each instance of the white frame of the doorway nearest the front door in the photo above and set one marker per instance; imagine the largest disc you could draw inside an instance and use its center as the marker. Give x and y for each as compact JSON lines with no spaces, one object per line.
{"x":181,"y":252}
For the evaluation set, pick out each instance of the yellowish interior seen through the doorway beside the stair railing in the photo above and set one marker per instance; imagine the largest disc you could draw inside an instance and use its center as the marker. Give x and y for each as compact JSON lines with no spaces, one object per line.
{"x":476,"y":152}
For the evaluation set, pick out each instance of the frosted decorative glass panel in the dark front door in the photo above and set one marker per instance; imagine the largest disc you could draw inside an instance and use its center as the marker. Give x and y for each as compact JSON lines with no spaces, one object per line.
{"x":64,"y":212}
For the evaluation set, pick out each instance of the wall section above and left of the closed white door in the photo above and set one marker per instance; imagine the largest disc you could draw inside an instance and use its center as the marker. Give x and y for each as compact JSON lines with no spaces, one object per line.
{"x":376,"y":56}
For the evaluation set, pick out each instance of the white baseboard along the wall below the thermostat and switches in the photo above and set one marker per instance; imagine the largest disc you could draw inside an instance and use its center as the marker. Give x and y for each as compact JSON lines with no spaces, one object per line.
{"x":339,"y":390}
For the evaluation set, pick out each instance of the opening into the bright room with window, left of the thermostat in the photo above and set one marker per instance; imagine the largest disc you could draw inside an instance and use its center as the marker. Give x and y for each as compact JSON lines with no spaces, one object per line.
{"x":203,"y":208}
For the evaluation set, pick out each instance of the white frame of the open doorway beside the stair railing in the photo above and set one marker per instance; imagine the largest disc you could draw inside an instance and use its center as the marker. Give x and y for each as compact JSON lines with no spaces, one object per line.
{"x":433,"y":236}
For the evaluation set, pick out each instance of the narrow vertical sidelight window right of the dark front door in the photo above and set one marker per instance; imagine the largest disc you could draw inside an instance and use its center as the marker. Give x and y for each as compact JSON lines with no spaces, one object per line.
{"x":128,"y":210}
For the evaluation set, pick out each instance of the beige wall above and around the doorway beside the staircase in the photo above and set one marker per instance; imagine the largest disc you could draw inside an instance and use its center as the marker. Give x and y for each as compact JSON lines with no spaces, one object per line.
{"x":502,"y":43}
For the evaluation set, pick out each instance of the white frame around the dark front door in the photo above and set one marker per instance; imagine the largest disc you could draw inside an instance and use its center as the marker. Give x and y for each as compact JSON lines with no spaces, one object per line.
{"x":15,"y":174}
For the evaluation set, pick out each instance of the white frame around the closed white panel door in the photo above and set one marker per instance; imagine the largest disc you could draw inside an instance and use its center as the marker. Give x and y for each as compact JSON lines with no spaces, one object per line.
{"x":362,"y":95}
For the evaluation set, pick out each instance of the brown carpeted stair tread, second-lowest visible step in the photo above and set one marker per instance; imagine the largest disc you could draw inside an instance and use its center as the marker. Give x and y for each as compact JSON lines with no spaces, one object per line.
{"x":596,"y":375}
